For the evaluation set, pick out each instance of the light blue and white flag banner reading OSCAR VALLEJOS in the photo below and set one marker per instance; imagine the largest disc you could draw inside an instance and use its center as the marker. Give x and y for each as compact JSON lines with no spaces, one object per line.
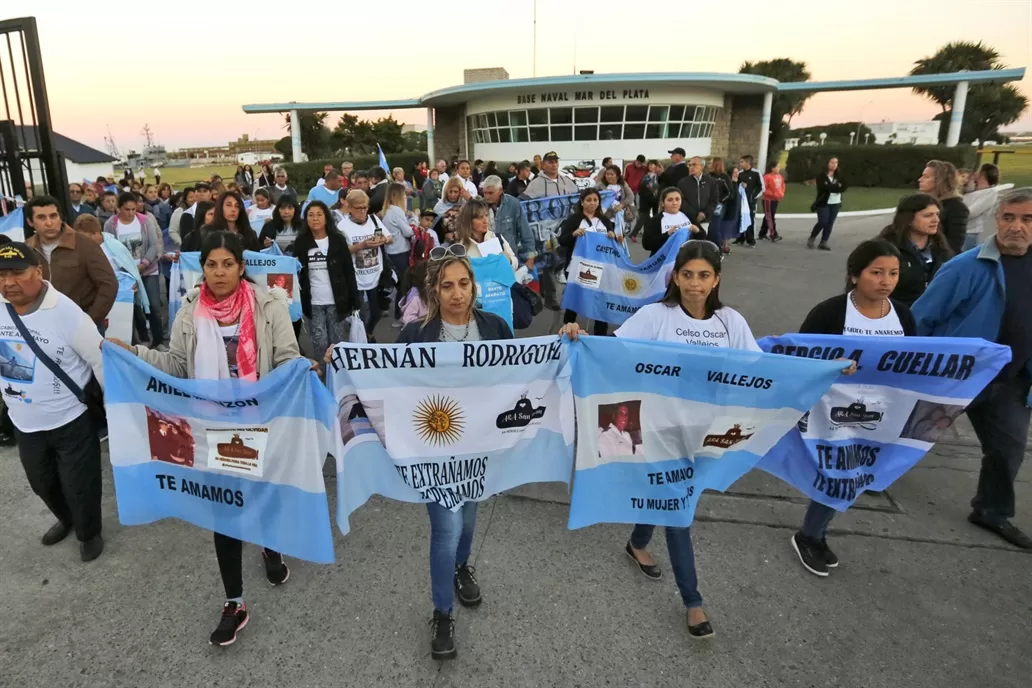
{"x":660,"y":422}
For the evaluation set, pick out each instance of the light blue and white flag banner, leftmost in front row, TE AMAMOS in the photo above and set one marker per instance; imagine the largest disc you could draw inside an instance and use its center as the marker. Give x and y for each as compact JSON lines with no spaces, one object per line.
{"x":243,"y":460}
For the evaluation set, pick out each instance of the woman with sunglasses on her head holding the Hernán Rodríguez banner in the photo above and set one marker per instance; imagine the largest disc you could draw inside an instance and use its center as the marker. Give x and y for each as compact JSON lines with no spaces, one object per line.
{"x":451,"y":316}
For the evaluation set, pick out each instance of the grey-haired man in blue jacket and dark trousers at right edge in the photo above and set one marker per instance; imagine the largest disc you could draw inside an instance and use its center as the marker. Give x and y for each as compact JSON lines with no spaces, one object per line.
{"x":987,"y":292}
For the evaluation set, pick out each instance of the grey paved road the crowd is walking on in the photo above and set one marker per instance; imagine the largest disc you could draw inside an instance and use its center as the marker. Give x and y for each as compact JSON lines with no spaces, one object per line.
{"x":921,"y":600}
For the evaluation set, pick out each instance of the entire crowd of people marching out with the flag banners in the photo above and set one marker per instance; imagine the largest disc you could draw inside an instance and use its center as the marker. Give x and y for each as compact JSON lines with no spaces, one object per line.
{"x":380,"y":244}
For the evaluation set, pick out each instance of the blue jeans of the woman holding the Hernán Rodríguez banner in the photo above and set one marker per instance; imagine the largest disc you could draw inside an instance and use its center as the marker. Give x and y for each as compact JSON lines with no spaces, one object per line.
{"x":451,"y":540}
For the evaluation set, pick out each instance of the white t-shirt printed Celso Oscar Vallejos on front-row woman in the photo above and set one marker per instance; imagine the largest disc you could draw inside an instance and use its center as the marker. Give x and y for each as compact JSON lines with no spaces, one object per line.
{"x":662,"y":323}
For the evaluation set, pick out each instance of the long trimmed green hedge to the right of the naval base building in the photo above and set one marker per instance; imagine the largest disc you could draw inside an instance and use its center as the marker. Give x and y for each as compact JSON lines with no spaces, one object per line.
{"x":893,"y":167}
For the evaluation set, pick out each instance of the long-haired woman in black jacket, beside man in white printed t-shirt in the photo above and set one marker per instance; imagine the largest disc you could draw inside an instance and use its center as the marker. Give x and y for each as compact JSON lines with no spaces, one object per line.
{"x":330,"y":292}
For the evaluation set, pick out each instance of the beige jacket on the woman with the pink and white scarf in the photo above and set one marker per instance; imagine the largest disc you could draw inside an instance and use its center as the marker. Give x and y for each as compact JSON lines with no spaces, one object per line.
{"x":277,"y":344}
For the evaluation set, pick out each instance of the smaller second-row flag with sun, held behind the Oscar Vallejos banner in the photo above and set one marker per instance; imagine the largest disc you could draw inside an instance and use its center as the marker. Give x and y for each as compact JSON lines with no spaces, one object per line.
{"x":604,"y":285}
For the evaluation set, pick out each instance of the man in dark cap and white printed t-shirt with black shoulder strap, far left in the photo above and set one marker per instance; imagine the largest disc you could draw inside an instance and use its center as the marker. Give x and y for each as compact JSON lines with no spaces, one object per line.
{"x":57,"y":439}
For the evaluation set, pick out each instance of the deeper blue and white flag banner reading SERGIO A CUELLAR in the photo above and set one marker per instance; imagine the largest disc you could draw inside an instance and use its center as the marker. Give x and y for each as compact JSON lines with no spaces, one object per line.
{"x":874,"y":427}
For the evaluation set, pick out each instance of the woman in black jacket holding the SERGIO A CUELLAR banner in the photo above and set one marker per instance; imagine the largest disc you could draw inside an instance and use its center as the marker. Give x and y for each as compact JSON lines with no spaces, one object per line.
{"x":865,"y":310}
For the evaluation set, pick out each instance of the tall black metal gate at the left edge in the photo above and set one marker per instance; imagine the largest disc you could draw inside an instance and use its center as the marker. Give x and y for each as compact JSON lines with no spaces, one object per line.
{"x":28,"y":159}
